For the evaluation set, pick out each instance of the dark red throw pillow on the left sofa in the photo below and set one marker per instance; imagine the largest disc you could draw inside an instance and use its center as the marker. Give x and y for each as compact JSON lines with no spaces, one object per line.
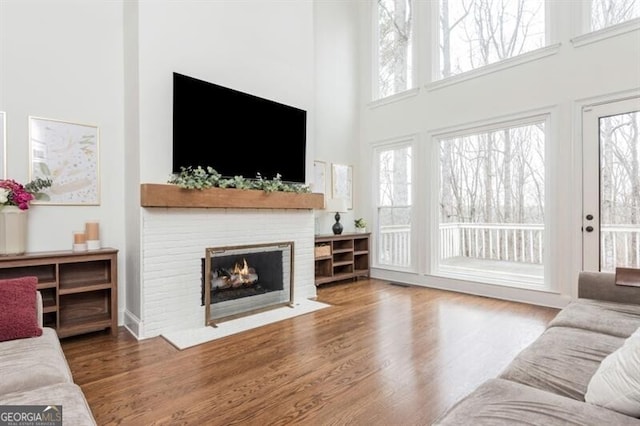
{"x":18,"y":318}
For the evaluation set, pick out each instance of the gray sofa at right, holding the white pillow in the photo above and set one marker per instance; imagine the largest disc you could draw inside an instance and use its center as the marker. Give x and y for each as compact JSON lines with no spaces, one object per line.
{"x":547,"y":382}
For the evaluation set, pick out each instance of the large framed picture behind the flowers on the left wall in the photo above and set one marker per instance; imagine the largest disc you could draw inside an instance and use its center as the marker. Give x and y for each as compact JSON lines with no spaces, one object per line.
{"x":67,"y":153}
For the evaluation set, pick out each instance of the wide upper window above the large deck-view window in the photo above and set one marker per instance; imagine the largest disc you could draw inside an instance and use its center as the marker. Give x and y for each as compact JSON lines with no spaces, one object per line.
{"x":475,"y":33}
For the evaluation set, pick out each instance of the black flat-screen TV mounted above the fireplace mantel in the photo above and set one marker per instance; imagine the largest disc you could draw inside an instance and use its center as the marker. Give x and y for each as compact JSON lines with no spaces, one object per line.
{"x":236,"y":133}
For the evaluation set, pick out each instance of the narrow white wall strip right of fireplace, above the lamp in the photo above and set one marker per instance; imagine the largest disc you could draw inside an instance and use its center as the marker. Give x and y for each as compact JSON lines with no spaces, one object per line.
{"x":337,"y":99}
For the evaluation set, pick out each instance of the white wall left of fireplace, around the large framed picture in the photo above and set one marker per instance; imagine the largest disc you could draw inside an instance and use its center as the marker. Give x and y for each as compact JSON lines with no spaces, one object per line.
{"x":63,"y":60}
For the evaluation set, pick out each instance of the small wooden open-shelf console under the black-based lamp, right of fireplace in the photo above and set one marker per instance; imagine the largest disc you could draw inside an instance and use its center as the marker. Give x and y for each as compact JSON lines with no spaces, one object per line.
{"x":341,"y":257}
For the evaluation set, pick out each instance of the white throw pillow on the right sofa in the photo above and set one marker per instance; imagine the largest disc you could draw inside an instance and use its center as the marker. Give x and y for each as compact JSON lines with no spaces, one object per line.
{"x":616,"y":383}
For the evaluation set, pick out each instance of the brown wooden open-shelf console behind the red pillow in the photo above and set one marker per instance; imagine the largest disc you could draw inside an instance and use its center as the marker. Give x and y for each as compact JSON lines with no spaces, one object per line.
{"x":79,"y":289}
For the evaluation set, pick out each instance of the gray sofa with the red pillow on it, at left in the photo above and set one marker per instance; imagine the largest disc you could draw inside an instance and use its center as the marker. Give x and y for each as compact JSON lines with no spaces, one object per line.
{"x":34,"y":371}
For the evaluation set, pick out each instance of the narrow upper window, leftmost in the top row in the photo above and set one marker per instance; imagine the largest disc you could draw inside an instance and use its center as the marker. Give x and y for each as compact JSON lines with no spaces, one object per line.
{"x":394,"y":55}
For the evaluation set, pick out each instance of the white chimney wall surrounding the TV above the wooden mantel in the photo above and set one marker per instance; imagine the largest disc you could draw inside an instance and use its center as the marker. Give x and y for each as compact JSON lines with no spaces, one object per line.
{"x":263,"y":47}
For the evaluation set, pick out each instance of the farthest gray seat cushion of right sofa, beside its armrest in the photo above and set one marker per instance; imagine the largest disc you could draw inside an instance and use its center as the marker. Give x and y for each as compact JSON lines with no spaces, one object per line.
{"x":616,"y":319}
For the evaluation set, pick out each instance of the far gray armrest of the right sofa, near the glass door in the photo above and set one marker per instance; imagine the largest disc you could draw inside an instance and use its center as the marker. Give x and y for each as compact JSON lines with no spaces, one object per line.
{"x":602,"y":286}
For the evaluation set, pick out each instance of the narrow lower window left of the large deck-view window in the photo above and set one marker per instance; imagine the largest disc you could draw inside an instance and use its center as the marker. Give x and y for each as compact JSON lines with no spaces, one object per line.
{"x":394,"y":206}
